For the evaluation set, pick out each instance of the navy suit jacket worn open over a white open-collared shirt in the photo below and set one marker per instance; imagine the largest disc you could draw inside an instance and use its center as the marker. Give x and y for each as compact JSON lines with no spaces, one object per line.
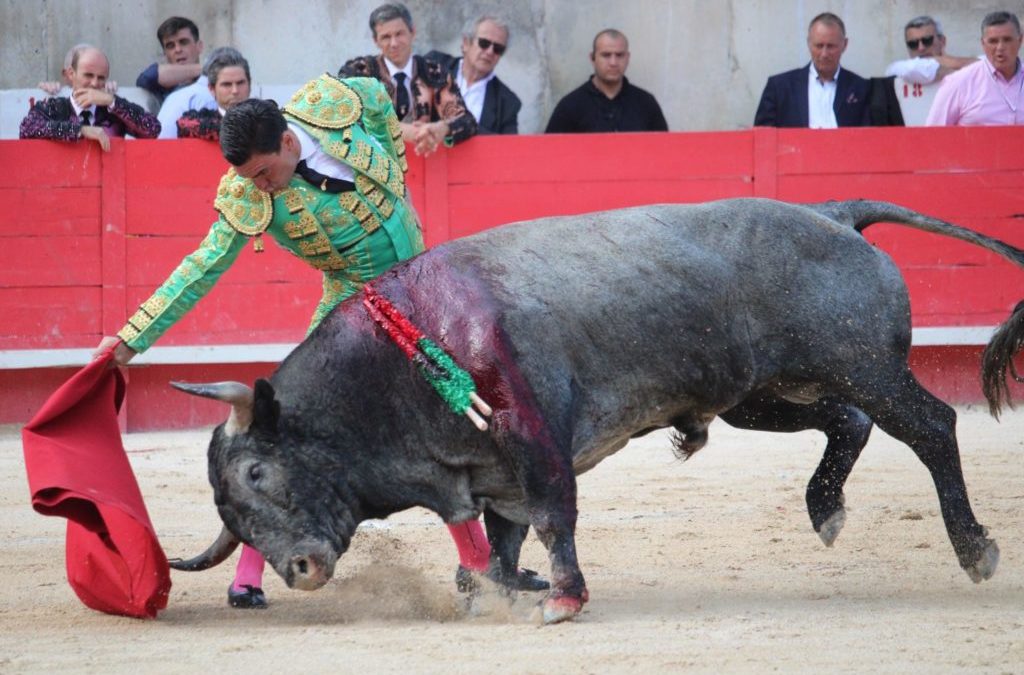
{"x":784,"y":103}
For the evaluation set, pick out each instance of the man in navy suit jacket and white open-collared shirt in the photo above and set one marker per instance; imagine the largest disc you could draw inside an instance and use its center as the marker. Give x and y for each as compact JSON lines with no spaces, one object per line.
{"x":821,"y":96}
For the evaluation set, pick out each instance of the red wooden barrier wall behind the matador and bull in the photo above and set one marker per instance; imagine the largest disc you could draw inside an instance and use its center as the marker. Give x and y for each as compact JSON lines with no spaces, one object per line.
{"x":87,"y":236}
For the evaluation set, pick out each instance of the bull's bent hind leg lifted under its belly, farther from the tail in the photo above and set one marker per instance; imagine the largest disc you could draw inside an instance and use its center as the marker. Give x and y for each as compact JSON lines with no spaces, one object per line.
{"x":847,"y":430}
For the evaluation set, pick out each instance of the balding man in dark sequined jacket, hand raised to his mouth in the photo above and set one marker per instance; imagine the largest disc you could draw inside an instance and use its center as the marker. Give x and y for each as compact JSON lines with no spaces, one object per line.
{"x":91,"y":112}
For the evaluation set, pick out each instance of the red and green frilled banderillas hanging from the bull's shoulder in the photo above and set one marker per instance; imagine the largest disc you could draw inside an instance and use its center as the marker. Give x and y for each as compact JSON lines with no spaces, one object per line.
{"x":454,"y":385}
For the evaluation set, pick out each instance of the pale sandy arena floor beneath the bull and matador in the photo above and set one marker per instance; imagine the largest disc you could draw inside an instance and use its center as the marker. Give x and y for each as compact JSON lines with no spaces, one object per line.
{"x":708,"y":566}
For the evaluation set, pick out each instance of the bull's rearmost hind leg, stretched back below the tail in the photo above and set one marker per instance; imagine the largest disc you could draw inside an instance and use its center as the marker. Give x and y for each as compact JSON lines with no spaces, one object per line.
{"x":906,"y":411}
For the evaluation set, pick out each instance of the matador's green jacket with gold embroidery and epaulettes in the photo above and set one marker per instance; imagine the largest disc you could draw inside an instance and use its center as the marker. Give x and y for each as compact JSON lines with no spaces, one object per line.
{"x":352,"y":238}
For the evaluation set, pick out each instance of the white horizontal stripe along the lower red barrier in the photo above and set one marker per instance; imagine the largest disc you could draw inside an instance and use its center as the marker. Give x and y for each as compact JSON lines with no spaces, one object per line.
{"x":273,"y":354}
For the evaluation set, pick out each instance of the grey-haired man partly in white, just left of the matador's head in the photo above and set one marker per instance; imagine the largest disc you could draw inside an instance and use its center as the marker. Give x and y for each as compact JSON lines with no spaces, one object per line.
{"x":196,"y":111}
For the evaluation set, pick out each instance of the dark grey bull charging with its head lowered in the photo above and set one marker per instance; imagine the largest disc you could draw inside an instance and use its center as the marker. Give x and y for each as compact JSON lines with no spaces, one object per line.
{"x":583,"y":332}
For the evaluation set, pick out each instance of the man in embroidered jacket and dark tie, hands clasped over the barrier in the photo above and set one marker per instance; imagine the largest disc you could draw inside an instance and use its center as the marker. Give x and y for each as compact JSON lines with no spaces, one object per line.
{"x":426,"y":100}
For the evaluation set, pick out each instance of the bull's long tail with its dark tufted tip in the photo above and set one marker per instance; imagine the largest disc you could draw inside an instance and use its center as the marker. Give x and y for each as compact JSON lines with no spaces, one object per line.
{"x":1008,"y":341}
